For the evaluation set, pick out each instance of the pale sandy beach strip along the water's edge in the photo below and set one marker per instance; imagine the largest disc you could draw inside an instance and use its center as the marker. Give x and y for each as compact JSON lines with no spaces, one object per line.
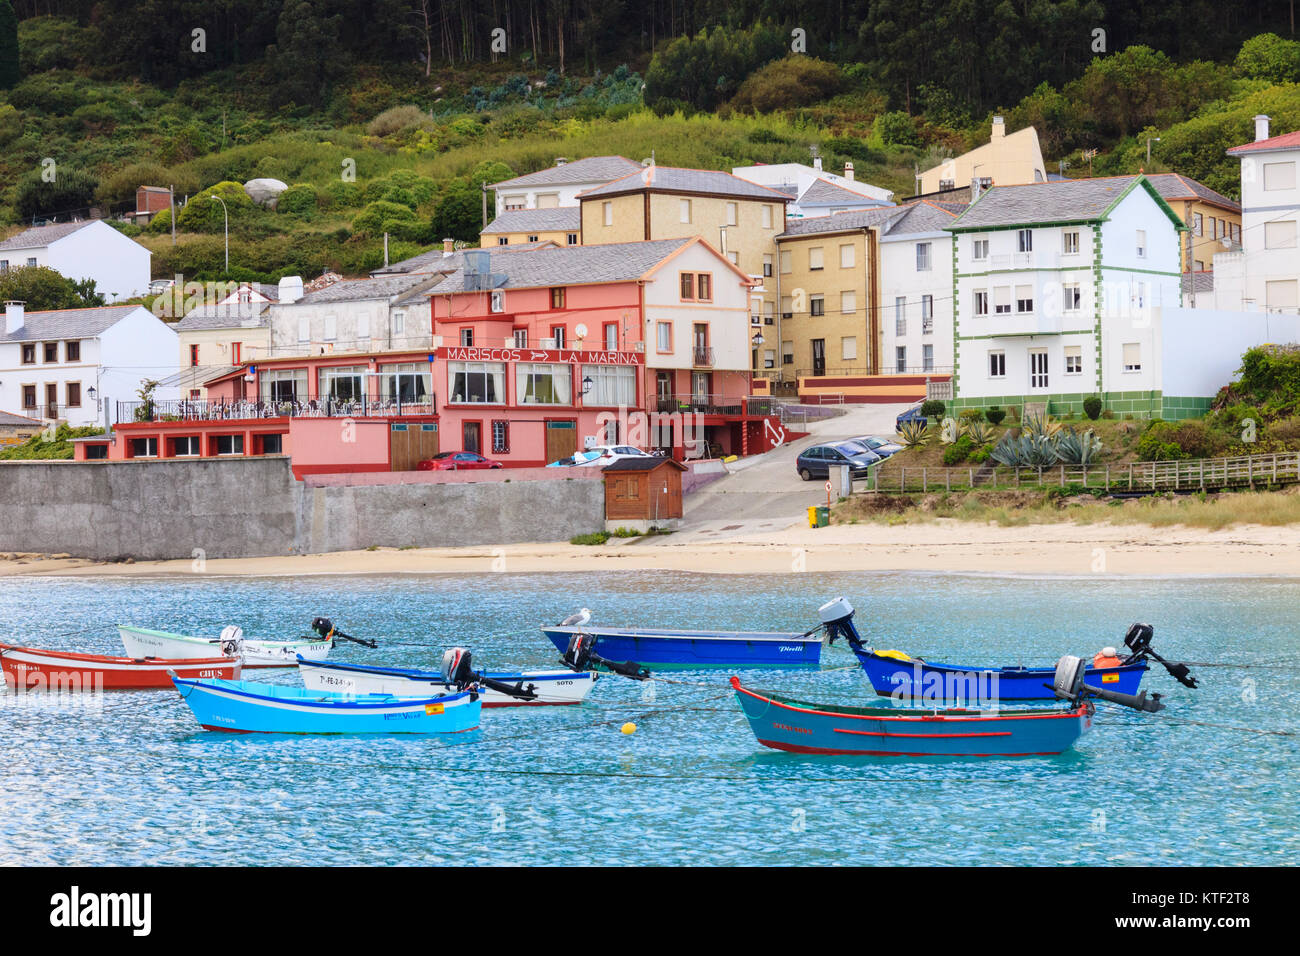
{"x":942,"y":546}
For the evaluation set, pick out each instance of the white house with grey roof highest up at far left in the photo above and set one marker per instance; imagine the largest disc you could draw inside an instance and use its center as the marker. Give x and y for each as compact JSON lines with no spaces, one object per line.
{"x":94,"y":250}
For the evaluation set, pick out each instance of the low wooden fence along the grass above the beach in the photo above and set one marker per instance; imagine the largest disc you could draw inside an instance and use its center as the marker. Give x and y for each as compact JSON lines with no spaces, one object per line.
{"x":1189,"y":475}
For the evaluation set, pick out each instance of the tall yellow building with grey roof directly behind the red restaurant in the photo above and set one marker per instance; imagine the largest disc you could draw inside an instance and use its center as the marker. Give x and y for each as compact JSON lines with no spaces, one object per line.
{"x":738,"y":218}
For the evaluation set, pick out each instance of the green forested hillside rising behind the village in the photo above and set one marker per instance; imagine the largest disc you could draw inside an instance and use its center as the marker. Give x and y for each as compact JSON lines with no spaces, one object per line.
{"x":388,"y":115}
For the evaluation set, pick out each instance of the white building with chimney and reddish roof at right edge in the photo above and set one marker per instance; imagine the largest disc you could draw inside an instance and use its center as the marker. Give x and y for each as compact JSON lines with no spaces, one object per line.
{"x":1266,"y":274}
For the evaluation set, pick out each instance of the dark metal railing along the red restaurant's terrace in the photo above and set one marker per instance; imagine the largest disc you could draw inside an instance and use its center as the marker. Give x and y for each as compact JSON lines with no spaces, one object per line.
{"x":190,"y":410}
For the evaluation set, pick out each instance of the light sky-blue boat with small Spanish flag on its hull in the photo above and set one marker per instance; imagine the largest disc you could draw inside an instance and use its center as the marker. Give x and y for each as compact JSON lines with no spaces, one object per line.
{"x":249,"y":707}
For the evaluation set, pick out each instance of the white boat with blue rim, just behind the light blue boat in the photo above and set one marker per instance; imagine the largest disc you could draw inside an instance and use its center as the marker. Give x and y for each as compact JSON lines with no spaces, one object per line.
{"x":527,"y":687}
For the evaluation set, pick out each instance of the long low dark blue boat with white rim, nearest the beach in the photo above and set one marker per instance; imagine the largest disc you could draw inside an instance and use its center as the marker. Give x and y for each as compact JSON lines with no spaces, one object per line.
{"x":688,"y":650}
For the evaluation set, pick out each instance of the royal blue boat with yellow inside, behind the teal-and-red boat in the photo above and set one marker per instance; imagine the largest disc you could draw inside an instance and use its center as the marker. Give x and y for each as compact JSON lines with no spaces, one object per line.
{"x":895,"y":674}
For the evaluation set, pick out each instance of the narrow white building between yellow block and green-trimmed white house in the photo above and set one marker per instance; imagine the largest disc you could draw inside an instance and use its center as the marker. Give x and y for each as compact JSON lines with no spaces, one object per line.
{"x":917,"y":289}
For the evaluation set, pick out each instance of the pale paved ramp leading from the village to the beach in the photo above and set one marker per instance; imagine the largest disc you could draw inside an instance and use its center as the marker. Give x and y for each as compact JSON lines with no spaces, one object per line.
{"x":765,"y":492}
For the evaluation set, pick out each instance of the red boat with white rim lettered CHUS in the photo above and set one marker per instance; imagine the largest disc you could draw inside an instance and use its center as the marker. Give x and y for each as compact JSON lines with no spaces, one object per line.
{"x":37,"y":669}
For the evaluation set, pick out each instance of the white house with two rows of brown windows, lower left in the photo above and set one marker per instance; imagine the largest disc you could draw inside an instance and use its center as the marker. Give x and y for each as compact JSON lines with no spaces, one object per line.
{"x":76,"y":365}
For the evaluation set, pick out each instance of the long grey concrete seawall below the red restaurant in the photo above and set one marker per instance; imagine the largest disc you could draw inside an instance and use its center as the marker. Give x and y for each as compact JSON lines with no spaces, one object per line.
{"x":254,"y":508}
